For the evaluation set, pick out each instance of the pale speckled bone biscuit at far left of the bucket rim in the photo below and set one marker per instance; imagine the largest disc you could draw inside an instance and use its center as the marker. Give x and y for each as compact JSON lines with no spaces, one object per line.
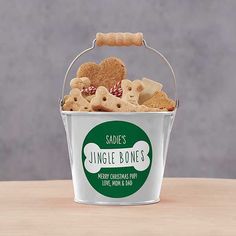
{"x":76,"y":102}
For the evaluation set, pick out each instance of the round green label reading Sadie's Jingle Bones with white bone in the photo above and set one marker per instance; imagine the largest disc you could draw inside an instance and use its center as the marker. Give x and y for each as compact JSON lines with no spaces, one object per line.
{"x":117,"y":158}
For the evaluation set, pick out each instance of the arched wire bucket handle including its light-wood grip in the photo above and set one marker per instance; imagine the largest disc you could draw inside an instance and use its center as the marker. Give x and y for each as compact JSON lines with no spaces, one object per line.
{"x":121,"y":39}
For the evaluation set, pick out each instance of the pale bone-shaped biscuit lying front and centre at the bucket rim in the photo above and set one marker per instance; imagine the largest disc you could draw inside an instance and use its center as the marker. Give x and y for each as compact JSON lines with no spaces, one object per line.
{"x":104,"y":101}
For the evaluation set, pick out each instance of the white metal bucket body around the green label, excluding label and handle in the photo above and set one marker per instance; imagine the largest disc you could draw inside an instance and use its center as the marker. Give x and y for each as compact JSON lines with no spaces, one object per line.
{"x":157,"y":126}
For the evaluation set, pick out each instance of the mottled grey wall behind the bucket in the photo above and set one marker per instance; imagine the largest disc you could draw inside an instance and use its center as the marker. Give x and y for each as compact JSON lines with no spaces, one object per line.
{"x":39,"y":38}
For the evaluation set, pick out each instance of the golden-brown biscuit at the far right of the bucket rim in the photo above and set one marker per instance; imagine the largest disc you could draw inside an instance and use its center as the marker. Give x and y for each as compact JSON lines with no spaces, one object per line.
{"x":160,"y":100}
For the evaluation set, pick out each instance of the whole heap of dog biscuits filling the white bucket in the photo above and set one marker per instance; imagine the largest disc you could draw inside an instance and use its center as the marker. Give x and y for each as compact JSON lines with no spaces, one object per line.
{"x":103,"y":87}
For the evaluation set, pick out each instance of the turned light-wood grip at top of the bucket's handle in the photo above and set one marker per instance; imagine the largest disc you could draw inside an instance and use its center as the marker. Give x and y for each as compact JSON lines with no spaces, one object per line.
{"x":119,"y":39}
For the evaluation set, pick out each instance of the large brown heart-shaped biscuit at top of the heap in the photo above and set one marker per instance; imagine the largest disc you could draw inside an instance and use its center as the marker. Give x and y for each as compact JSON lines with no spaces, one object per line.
{"x":110,"y":71}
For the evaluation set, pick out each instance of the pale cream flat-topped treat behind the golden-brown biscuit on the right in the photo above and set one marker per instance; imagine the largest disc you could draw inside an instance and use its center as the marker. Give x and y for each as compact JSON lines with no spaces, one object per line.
{"x":150,"y":87}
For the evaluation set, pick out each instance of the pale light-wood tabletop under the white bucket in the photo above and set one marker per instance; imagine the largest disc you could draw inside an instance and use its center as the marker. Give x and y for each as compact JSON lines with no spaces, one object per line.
{"x":187,"y":207}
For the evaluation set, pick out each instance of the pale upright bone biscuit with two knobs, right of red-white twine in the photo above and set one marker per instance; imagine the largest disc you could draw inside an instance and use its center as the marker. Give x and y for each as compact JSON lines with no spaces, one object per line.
{"x":131,"y":90}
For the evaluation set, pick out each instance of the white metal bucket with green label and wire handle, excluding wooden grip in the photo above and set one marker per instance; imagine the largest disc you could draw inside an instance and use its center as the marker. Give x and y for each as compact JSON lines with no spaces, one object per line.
{"x":118,"y":158}
